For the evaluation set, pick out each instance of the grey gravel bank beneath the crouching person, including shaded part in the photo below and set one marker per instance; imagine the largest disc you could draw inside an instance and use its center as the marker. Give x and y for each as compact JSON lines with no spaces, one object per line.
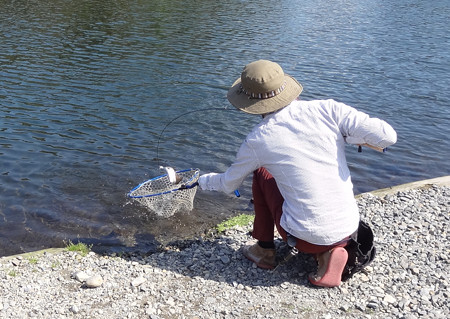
{"x":209,"y":278}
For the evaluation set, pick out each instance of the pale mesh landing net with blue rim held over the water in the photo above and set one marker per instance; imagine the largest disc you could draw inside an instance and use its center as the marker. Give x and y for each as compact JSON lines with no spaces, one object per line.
{"x":164,"y":198}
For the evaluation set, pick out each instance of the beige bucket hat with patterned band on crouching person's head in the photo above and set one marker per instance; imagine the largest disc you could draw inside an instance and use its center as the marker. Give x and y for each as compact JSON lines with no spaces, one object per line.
{"x":263,"y":88}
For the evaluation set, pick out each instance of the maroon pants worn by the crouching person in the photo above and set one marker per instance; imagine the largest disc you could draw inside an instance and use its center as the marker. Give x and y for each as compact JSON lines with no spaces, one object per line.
{"x":268,"y":204}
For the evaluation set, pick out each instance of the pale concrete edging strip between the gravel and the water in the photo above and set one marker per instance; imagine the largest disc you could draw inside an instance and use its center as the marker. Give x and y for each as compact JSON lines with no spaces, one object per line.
{"x":439,"y":181}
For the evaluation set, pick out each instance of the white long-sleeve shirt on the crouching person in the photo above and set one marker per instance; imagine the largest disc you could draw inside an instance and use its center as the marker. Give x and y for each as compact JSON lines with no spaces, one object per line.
{"x":302,"y":146}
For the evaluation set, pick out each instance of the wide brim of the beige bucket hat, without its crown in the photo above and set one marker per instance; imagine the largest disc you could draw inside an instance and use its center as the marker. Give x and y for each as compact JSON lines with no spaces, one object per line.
{"x":243,"y":102}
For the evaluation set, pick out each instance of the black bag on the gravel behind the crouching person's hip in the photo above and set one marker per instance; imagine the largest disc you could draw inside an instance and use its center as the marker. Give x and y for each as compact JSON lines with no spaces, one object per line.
{"x":361,"y":251}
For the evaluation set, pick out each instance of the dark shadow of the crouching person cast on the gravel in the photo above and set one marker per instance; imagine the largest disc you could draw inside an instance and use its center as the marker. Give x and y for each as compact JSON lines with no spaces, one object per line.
{"x":217,"y":258}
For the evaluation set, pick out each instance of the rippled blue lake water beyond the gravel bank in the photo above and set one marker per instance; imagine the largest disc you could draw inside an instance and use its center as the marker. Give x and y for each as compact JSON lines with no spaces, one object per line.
{"x":86,"y":87}
